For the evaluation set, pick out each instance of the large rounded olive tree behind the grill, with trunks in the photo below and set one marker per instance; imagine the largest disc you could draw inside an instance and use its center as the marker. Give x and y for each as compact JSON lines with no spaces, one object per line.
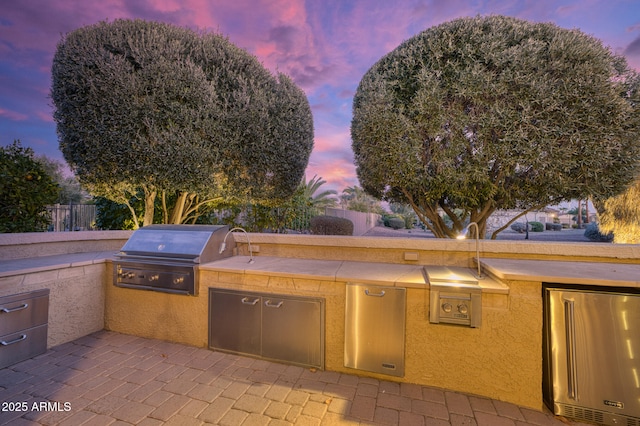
{"x":183,"y":117}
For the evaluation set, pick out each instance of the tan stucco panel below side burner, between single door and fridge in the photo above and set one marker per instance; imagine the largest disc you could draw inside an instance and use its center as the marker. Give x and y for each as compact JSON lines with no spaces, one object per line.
{"x":502,"y":359}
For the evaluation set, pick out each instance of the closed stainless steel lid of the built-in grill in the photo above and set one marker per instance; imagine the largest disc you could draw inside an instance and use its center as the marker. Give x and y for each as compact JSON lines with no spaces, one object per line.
{"x":195,"y":243}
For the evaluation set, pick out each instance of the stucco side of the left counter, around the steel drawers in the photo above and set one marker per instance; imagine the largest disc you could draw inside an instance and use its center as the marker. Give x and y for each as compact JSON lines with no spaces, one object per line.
{"x":76,"y":299}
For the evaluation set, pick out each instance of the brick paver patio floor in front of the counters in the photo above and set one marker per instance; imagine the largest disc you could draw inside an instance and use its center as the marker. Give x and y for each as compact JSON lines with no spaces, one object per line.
{"x":110,"y":378}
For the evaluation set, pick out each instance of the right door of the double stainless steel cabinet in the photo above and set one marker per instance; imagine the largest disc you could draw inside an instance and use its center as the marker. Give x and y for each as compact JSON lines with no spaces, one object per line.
{"x":292,"y":330}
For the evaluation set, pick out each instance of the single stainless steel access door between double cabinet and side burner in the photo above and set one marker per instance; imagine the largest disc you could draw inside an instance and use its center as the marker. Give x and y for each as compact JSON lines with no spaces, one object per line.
{"x":375,"y":328}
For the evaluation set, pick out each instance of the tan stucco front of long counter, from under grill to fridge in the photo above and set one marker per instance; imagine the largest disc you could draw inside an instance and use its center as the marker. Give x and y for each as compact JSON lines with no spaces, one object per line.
{"x":502,"y":359}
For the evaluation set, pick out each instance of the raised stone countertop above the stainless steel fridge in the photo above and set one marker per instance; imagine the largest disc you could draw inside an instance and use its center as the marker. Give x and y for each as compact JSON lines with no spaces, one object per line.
{"x":588,"y":273}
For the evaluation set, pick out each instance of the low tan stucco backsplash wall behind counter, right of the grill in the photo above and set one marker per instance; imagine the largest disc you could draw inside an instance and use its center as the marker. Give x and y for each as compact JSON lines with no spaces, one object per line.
{"x":430,"y":251}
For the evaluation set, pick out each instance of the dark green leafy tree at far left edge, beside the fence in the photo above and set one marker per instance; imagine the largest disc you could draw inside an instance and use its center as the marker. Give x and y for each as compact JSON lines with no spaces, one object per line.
{"x":25,"y":190}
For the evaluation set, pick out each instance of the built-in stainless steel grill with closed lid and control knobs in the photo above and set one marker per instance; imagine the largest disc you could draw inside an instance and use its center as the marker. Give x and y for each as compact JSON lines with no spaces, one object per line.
{"x":165,"y":258}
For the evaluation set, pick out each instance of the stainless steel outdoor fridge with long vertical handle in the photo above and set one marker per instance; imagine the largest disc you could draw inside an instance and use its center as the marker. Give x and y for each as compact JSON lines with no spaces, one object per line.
{"x":594,"y":345}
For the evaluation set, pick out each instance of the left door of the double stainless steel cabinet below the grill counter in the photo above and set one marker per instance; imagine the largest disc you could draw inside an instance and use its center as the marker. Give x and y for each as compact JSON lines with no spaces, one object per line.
{"x":235,"y":322}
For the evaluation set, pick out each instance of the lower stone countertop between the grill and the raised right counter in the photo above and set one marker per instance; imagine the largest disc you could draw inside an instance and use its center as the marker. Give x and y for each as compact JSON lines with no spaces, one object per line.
{"x":410,"y":276}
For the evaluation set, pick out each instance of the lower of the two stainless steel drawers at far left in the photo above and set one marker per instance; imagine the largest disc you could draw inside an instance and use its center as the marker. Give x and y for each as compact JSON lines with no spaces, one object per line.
{"x":22,"y":345}
